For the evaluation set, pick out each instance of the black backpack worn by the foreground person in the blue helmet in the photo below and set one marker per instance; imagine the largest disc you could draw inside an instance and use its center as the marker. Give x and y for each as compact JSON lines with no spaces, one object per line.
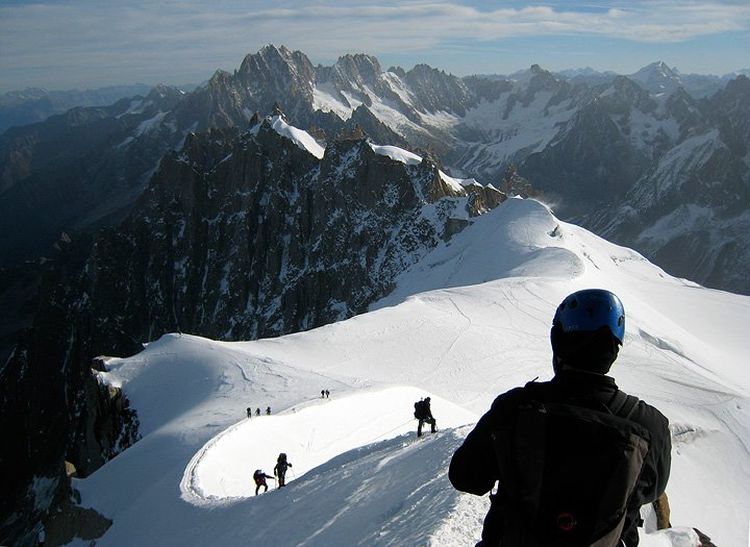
{"x":567,"y":473}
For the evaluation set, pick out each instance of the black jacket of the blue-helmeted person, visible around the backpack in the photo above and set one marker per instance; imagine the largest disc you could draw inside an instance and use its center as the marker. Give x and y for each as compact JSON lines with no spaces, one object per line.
{"x":474,"y":468}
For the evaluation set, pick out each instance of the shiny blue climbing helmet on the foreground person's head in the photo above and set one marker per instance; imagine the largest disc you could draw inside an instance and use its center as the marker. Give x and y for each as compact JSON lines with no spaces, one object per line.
{"x":589,"y":310}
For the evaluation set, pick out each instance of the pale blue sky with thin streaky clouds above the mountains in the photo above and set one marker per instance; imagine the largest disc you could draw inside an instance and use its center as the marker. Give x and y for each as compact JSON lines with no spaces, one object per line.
{"x":91,"y":43}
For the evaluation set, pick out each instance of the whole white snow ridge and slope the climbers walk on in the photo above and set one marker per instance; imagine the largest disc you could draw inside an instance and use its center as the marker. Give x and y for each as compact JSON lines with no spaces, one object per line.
{"x":469,"y":321}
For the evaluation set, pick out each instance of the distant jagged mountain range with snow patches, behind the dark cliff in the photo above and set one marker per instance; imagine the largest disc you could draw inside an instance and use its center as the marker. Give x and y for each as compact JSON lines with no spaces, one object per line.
{"x":587,"y":147}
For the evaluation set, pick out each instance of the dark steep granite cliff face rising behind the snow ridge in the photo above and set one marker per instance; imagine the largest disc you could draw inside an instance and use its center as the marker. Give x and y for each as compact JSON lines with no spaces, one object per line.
{"x":248,"y":235}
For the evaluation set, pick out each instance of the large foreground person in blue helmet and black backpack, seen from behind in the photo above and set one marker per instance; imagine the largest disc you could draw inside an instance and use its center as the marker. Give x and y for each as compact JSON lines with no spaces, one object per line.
{"x":575,"y":457}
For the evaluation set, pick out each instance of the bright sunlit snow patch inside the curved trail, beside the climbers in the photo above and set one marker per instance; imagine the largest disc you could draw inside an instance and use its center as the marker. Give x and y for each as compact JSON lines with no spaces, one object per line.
{"x":219,"y":470}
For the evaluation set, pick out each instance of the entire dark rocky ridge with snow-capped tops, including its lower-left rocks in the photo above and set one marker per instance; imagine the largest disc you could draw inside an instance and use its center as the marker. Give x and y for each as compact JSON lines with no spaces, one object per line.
{"x":238,"y":235}
